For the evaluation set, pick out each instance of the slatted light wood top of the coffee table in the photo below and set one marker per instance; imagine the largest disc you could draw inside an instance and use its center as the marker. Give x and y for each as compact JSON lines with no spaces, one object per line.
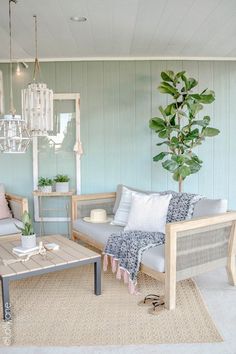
{"x":69,"y":252}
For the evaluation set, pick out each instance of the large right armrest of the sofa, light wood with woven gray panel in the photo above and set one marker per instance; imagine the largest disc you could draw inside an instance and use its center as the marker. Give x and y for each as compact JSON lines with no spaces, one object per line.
{"x":199,"y":245}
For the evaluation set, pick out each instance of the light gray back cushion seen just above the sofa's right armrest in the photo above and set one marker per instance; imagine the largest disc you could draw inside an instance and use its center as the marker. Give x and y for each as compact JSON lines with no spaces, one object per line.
{"x":207,"y":207}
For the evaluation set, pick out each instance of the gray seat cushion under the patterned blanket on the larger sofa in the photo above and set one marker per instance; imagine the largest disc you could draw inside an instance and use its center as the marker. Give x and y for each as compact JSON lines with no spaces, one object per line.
{"x":152,"y":258}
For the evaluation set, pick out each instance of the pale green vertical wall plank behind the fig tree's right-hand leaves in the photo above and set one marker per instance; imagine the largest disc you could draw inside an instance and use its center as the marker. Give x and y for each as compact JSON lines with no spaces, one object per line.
{"x":206,"y":153}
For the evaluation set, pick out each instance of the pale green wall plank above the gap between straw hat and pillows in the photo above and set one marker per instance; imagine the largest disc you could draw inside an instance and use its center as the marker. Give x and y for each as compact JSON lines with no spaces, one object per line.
{"x":111,"y":108}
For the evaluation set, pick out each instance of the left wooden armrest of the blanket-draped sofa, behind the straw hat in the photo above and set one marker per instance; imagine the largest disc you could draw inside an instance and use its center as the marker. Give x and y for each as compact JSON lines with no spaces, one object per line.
{"x":82,"y":204}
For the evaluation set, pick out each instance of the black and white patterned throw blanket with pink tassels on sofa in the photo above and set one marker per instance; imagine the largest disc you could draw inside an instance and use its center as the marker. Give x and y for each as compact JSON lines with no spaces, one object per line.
{"x":125,"y":249}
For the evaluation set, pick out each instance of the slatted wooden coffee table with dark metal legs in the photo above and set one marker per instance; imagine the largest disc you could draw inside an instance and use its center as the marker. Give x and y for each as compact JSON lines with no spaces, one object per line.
{"x":70,"y":255}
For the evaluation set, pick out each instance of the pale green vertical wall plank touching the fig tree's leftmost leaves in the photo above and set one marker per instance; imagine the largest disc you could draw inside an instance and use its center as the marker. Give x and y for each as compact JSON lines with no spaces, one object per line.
{"x":142,"y":158}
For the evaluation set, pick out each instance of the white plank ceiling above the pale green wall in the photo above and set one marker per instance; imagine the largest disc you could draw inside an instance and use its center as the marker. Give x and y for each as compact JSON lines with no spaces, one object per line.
{"x":121,"y":28}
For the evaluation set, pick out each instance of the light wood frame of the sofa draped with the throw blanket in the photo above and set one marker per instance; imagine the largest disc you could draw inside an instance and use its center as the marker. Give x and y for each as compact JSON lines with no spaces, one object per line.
{"x":209,"y":226}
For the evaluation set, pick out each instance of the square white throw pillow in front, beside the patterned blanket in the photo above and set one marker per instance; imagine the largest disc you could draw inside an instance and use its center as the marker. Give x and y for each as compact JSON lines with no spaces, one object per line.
{"x":148,"y":212}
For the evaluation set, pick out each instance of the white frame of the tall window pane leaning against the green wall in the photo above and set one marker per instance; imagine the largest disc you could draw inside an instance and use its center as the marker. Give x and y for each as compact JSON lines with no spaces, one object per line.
{"x":37,"y":217}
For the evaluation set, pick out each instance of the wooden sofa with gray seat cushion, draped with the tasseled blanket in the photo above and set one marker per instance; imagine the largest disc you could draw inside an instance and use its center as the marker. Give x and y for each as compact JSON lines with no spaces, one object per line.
{"x":191,"y":247}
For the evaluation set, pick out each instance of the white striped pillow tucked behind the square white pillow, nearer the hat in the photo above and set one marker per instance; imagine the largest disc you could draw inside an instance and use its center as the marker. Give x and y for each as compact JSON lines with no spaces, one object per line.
{"x":122,"y":213}
